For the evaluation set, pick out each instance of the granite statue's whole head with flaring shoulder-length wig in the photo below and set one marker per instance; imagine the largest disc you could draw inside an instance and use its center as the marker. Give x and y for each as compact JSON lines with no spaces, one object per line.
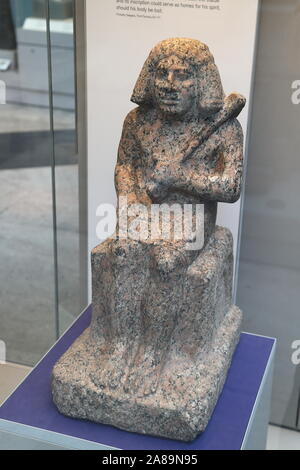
{"x":178,"y":77}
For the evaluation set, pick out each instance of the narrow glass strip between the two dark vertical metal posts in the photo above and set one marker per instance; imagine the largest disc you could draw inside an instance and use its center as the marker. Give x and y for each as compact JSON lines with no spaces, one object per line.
{"x":67,"y":142}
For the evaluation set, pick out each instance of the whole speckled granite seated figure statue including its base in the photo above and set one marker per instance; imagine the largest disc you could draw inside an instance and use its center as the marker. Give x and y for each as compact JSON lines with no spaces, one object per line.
{"x":164,"y":329}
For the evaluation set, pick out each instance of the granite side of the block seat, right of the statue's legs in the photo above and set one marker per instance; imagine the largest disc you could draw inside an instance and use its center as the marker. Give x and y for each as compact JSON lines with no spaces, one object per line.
{"x":207,"y":299}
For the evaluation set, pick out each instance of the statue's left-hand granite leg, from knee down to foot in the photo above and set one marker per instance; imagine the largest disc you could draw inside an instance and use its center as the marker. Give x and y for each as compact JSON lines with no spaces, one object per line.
{"x":120,"y":275}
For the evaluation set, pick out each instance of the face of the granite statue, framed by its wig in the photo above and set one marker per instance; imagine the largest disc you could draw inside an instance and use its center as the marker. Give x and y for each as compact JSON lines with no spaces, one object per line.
{"x":175,"y":87}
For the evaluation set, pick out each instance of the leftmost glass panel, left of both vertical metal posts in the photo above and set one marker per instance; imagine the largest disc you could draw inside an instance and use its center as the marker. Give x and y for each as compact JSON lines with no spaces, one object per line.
{"x":27,"y":320}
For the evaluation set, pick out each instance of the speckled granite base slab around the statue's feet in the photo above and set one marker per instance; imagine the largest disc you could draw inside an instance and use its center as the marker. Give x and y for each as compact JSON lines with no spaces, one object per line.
{"x":182,"y":405}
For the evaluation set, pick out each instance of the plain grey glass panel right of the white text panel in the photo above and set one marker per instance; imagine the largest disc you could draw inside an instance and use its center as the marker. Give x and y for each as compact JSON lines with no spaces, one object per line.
{"x":269,"y":274}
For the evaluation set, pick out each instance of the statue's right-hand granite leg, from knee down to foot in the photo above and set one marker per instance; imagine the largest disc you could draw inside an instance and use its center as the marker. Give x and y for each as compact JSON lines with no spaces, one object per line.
{"x":160,"y":308}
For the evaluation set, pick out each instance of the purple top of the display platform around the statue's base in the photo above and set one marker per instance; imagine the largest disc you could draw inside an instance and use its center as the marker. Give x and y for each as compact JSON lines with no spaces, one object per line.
{"x":31,"y":403}
